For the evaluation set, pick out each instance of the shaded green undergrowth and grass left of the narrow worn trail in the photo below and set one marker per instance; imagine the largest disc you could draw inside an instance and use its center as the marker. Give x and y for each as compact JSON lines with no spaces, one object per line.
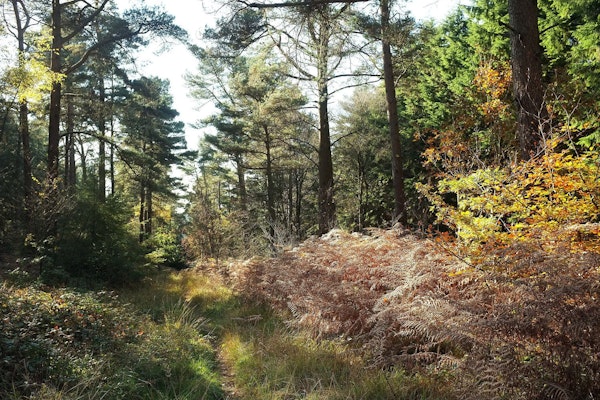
{"x":59,"y":343}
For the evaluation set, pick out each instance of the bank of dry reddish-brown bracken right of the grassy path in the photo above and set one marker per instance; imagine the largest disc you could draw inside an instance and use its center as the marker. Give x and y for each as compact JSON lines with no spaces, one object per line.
{"x":524,"y":325}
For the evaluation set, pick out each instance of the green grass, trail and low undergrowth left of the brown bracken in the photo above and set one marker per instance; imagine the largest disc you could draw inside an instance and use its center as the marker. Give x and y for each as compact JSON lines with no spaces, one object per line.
{"x":177,"y":336}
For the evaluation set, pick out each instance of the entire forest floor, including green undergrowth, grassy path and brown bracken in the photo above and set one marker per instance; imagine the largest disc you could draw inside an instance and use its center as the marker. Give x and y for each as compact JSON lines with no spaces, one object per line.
{"x":383,"y":315}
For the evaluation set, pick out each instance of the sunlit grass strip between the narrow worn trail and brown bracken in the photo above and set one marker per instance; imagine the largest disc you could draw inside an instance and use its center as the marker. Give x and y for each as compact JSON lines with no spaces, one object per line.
{"x":261,"y":358}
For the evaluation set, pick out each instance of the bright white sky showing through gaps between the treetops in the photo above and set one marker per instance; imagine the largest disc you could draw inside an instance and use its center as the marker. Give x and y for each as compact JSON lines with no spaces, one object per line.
{"x":193,"y":16}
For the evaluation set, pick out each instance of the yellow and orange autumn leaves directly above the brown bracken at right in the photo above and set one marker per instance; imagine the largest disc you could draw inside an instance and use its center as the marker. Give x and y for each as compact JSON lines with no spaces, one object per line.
{"x":540,"y":198}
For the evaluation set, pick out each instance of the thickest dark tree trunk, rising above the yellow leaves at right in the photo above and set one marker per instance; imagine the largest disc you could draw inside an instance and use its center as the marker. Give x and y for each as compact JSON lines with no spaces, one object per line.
{"x":526,"y":60}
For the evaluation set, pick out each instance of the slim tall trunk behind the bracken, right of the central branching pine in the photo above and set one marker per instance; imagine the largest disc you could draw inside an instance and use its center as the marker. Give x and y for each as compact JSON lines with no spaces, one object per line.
{"x":393,"y":121}
